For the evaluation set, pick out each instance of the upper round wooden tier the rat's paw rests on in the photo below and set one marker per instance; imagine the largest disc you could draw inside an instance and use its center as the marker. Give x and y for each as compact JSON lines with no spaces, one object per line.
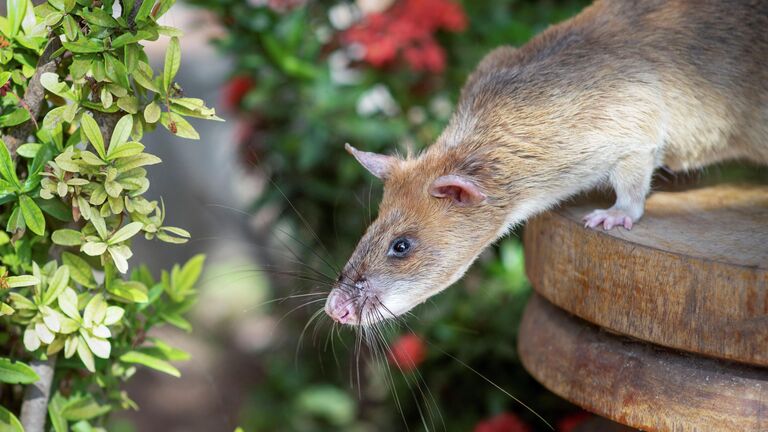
{"x":691,"y":275}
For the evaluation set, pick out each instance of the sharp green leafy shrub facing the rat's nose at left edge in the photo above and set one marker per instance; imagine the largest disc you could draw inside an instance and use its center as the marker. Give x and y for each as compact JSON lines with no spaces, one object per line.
{"x":77,"y":94}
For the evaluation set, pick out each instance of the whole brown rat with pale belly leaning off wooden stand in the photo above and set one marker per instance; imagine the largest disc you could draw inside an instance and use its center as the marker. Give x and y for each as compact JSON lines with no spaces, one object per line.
{"x":605,"y":97}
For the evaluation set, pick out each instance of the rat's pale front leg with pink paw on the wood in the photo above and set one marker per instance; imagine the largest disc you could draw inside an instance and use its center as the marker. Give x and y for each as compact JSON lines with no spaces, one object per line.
{"x":631,"y":179}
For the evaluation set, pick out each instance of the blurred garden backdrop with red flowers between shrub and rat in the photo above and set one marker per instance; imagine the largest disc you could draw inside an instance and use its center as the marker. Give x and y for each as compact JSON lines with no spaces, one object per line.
{"x":278,"y":205}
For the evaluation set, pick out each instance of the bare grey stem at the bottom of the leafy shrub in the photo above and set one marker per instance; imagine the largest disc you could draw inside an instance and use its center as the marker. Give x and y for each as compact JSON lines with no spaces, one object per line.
{"x":34,"y":410}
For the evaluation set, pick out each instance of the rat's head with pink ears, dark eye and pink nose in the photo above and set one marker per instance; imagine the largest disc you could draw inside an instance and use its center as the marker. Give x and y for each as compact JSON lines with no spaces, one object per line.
{"x":426,"y":235}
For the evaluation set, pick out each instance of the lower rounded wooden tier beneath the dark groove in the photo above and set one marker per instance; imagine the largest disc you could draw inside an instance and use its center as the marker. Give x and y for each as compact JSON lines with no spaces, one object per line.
{"x":637,"y":384}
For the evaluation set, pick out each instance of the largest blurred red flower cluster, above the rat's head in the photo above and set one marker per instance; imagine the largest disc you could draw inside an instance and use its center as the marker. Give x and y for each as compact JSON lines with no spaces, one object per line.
{"x":408,"y":28}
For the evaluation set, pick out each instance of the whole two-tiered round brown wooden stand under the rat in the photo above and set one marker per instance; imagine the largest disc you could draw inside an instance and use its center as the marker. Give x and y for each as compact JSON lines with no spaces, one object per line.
{"x":664,"y":327}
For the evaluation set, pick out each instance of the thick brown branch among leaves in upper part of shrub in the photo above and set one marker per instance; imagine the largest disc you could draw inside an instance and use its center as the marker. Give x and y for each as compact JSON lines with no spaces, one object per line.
{"x":33,"y":97}
